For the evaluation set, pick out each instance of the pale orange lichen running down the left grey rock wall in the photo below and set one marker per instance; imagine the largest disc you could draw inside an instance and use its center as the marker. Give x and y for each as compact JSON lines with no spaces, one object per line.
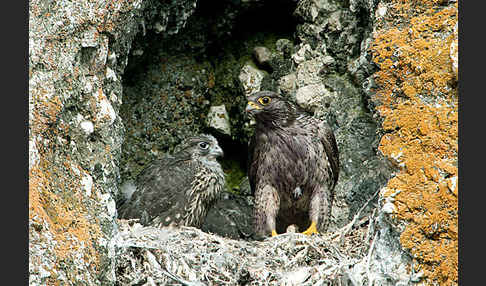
{"x":56,"y":197}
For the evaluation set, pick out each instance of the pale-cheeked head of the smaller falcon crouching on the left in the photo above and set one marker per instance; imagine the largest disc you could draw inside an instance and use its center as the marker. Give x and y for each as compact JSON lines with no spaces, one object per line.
{"x":202,"y":146}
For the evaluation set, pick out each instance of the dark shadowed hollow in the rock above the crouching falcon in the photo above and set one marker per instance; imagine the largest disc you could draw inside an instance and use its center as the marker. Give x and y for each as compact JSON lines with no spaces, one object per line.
{"x":171,"y":81}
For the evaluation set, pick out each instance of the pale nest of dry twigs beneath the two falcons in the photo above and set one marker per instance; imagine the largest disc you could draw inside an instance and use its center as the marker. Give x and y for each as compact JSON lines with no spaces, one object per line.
{"x":189,"y":256}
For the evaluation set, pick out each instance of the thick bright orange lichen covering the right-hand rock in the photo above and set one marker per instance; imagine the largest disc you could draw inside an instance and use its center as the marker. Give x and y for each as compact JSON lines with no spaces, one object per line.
{"x":417,"y":93}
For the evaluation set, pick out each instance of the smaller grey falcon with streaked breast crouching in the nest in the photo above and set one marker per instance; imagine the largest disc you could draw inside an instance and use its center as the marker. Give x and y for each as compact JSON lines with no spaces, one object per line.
{"x":178,"y":189}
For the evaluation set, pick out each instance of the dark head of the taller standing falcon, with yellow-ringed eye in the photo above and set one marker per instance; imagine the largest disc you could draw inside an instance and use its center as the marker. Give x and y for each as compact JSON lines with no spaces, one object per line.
{"x":270,"y":108}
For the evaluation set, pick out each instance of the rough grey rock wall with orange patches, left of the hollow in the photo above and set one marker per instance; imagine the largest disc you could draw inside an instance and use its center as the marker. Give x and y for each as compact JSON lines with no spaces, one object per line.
{"x":77,"y":55}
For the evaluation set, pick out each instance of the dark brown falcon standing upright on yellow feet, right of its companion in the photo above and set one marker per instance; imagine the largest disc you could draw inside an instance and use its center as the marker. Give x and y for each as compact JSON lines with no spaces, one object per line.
{"x":293,"y":166}
